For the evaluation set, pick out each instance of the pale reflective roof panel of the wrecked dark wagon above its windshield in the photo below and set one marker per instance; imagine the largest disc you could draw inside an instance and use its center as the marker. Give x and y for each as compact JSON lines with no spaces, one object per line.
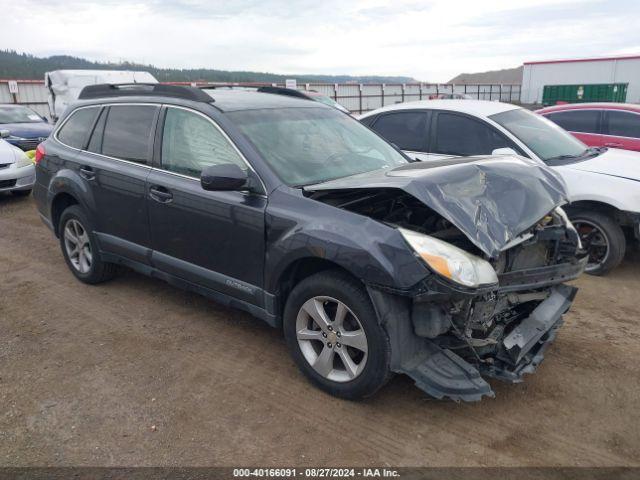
{"x":229,"y":100}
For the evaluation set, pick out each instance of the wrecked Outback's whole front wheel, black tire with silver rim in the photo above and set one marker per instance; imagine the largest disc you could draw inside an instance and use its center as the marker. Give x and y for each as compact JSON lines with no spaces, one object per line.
{"x":334,"y":336}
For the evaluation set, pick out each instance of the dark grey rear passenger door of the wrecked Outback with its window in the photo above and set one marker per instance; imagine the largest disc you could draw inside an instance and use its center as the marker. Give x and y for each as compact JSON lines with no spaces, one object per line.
{"x":113,"y":163}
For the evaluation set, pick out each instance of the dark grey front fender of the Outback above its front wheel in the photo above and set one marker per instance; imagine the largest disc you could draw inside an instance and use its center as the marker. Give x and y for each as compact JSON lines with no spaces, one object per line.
{"x":299,"y":228}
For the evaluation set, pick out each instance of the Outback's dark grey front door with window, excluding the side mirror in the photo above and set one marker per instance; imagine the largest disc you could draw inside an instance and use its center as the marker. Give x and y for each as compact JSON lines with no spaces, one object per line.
{"x":213,"y":239}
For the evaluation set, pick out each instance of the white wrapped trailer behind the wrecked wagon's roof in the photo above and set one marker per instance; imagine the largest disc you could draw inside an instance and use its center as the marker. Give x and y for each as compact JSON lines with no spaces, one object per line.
{"x":64,"y":86}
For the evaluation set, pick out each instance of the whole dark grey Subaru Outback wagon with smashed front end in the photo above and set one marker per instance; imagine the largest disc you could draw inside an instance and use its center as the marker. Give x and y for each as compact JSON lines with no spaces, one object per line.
{"x":370,"y":262}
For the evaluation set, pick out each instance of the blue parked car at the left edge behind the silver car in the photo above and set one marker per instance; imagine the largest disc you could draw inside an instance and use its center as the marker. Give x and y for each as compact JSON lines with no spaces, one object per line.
{"x":26,"y":129}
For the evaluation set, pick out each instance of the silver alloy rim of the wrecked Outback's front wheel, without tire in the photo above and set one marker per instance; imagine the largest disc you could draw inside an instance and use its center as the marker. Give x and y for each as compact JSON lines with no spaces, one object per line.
{"x":332,"y":339}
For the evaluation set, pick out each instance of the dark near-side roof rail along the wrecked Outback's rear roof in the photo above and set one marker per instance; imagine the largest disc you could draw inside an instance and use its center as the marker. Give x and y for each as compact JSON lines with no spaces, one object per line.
{"x":143,"y":89}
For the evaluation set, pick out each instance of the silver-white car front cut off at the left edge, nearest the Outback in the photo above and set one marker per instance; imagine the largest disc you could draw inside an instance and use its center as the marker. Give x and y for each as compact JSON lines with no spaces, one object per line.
{"x":17,"y":172}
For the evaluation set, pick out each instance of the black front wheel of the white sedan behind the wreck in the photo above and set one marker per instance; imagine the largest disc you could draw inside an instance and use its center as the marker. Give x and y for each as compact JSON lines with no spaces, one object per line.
{"x":590,"y":224}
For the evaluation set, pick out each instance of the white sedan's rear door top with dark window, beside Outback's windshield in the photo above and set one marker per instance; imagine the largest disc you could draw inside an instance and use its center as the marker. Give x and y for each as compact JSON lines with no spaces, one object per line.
{"x":406,"y":129}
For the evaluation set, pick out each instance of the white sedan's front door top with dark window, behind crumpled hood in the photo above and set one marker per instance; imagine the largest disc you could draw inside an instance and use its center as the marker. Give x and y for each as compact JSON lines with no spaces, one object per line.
{"x":454,"y":134}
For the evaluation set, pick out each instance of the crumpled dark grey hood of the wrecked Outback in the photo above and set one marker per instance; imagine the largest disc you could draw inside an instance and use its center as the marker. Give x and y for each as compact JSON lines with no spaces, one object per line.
{"x":492,"y":200}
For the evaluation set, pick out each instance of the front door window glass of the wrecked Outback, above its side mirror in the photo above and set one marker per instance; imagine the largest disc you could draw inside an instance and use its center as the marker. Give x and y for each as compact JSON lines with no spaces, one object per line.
{"x":190,"y":143}
